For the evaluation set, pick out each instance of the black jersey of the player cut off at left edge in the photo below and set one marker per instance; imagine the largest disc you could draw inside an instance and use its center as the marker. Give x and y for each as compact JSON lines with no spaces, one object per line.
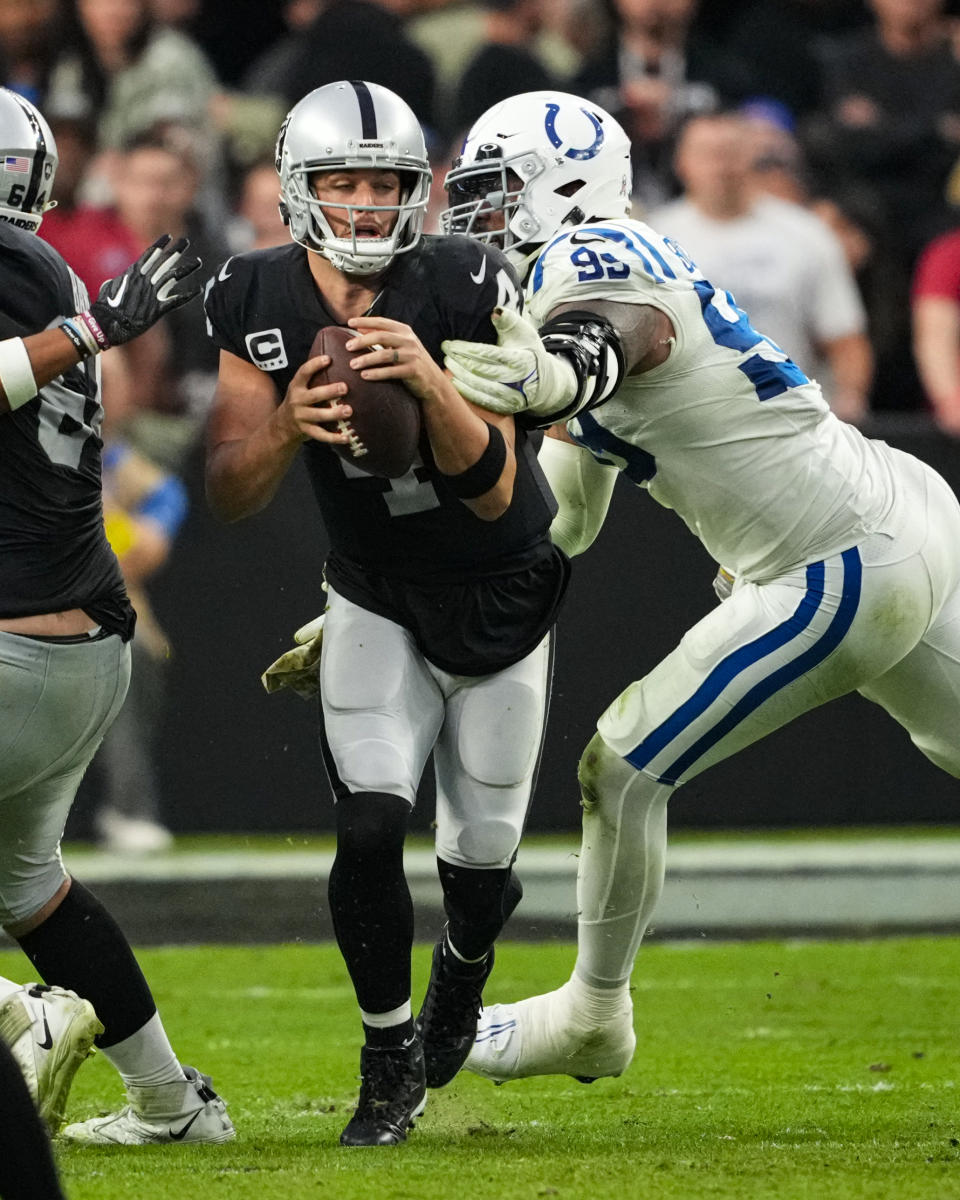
{"x":55,"y":554}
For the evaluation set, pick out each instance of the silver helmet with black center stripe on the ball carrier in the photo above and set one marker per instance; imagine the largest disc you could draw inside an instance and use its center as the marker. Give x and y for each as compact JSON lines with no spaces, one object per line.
{"x":352,"y":125}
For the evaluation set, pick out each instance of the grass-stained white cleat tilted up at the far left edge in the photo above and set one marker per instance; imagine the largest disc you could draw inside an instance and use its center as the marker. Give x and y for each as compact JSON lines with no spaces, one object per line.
{"x":51,"y":1033}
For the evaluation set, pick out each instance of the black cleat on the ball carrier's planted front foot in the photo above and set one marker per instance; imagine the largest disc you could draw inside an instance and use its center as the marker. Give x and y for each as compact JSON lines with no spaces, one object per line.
{"x":393,"y":1094}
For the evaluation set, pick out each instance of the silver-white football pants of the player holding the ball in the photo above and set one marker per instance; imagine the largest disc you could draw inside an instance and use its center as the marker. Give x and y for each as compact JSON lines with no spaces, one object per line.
{"x":386,"y":709}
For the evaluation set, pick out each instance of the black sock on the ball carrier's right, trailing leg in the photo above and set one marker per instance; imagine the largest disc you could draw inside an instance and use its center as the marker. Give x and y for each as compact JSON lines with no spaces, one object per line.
{"x":478,"y":903}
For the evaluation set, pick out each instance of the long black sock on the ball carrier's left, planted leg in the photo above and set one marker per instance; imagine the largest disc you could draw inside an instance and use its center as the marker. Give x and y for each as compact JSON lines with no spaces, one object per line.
{"x":370,"y":902}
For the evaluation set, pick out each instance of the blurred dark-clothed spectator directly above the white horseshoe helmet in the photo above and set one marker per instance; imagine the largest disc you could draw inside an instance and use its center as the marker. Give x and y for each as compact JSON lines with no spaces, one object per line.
{"x":505,"y":64}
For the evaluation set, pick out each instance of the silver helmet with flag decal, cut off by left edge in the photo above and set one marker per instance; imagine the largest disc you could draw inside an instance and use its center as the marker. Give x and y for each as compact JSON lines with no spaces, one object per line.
{"x":28,"y":163}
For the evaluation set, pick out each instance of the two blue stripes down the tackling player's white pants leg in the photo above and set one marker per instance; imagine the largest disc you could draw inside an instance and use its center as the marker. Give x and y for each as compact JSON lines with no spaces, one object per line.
{"x":746,"y":657}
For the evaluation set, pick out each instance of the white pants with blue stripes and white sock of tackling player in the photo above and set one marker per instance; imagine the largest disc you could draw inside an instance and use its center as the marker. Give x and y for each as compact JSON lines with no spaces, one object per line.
{"x":881,"y":619}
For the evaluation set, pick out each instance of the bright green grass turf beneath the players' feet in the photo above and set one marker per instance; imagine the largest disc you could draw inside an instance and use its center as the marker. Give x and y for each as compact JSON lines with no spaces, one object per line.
{"x":808,"y":1070}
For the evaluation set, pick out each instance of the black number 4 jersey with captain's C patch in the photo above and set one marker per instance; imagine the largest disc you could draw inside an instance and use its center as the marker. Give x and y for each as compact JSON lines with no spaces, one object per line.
{"x":266,"y":308}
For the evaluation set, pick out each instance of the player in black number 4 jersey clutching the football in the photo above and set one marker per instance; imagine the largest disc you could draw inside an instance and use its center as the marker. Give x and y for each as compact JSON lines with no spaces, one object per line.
{"x":443,"y":585}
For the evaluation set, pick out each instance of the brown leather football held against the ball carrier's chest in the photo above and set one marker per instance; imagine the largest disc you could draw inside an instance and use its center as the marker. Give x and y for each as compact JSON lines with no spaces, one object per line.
{"x":385,"y":428}
